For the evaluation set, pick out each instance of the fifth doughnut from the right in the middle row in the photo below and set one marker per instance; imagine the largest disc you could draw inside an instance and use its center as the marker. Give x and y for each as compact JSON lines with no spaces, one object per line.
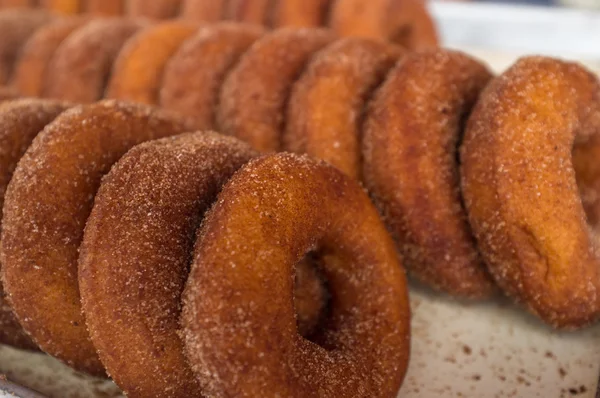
{"x":194,"y":76}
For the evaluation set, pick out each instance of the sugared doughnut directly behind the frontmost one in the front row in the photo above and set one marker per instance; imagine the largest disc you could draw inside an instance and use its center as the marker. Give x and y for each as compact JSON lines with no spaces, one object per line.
{"x":162,"y":189}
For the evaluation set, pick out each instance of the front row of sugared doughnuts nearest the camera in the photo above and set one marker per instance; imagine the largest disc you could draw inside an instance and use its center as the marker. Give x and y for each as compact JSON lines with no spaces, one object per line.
{"x":116,"y":223}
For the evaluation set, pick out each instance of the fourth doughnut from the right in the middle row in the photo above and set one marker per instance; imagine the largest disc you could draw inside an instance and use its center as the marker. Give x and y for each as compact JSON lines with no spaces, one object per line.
{"x":253,"y":97}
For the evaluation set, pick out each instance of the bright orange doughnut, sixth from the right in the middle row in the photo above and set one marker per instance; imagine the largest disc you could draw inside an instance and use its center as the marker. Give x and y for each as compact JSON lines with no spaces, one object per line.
{"x":138,"y":71}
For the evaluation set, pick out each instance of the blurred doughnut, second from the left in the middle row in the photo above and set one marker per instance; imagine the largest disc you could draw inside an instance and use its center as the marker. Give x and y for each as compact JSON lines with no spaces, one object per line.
{"x":32,"y":64}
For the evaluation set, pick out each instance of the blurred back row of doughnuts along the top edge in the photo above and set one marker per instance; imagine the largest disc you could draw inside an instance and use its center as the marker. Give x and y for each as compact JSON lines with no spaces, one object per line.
{"x":406,"y":22}
